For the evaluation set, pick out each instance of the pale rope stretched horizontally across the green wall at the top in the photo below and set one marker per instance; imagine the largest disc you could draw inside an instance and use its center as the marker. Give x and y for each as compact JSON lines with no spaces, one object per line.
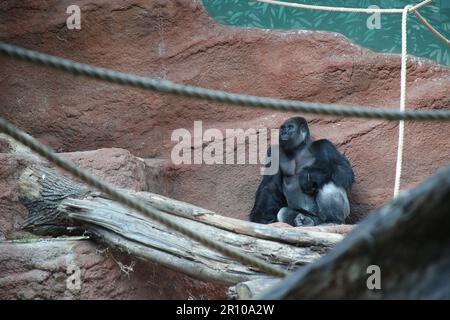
{"x":343,"y":9}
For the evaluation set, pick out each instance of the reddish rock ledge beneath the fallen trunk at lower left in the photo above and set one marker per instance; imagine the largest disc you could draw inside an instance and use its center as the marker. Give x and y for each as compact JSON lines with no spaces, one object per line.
{"x":41,"y":270}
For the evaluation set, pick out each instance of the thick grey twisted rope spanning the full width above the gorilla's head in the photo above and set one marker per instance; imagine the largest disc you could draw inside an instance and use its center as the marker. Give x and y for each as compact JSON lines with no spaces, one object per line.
{"x":168,"y":87}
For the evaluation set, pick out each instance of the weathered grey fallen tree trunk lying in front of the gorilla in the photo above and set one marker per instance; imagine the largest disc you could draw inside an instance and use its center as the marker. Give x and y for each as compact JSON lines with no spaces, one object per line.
{"x":59,"y":206}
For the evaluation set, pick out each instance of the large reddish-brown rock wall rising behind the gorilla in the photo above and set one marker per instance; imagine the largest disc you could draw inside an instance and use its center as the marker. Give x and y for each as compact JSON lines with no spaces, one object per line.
{"x":176,"y":40}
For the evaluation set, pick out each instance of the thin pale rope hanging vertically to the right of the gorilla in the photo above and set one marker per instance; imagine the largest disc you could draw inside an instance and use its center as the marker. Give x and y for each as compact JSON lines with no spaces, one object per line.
{"x":401,"y":125}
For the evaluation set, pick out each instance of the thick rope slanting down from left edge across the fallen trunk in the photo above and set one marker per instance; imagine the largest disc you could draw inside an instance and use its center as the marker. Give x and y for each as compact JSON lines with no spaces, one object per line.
{"x":135,"y":204}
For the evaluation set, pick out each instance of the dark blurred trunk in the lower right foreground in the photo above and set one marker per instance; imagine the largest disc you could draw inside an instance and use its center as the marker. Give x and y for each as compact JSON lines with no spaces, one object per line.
{"x":408,"y":239}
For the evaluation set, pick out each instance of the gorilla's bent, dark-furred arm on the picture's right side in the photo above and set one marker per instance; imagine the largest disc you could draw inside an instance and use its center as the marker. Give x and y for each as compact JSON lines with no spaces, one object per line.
{"x":337,"y":166}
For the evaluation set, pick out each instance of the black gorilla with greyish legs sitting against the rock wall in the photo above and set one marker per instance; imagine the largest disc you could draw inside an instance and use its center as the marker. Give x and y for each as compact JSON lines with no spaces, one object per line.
{"x":312,"y":182}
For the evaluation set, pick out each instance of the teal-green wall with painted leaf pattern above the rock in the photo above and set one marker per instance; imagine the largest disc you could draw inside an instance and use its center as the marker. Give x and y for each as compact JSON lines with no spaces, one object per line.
{"x":251,"y":14}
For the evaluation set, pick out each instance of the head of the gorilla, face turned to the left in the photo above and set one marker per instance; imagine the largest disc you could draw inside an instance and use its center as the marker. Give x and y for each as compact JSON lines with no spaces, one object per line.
{"x":294,"y":133}
